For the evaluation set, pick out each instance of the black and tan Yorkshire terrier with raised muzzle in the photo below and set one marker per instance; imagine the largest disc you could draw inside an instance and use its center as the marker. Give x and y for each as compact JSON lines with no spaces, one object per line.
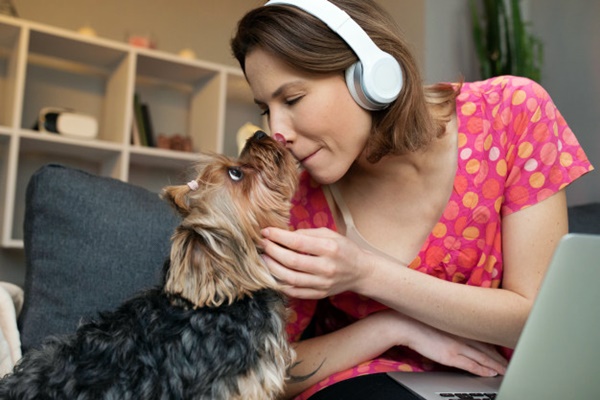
{"x":215,"y":329}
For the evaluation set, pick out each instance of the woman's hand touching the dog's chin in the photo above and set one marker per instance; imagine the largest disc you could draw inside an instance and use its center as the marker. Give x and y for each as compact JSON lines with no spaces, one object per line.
{"x":313,"y":263}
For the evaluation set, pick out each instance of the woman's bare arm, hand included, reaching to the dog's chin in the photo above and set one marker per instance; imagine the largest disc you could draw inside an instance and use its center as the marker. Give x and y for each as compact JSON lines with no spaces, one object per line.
{"x":320,"y":263}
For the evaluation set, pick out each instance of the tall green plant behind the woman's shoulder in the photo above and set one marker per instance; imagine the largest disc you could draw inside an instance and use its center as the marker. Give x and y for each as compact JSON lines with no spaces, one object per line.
{"x":502,"y":41}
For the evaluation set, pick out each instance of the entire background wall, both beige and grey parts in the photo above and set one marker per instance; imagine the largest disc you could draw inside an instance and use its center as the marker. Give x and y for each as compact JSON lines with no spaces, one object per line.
{"x":439,"y":31}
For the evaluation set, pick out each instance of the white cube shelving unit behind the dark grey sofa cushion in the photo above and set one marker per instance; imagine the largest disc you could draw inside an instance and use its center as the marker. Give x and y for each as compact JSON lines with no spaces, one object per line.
{"x":43,"y":66}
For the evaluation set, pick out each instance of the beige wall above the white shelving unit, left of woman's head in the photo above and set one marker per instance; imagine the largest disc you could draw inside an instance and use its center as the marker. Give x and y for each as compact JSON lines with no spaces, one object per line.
{"x":202,"y":25}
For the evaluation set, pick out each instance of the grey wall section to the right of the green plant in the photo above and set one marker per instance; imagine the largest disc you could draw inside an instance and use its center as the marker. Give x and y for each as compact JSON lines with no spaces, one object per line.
{"x":571,"y":74}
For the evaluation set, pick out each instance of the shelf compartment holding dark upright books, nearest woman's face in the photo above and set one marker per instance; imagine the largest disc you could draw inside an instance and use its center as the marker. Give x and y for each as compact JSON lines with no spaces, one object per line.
{"x":184,"y":97}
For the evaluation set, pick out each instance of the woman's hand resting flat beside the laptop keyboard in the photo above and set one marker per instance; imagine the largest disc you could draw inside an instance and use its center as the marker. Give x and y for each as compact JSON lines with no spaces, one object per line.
{"x":447,"y":349}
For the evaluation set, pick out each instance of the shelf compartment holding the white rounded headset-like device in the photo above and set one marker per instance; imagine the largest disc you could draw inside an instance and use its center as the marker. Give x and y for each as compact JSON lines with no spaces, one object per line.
{"x":64,"y":71}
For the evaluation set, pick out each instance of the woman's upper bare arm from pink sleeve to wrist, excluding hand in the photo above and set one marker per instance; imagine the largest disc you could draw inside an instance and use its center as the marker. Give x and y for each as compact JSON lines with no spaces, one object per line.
{"x":489,"y":315}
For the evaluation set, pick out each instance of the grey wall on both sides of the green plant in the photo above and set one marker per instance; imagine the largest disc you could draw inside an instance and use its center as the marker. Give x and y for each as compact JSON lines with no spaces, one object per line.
{"x":571,"y":70}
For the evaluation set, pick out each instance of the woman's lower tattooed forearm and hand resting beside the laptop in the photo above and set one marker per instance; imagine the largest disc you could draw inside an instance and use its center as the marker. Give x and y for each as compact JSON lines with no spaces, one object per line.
{"x":369,"y":337}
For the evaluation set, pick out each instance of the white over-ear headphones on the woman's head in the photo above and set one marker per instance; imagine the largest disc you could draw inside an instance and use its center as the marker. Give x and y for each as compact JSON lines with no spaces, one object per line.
{"x":376,"y":79}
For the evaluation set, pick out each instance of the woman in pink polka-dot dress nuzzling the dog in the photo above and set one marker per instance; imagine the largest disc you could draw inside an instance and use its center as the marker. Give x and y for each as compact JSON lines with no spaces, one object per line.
{"x":422,"y":230}
